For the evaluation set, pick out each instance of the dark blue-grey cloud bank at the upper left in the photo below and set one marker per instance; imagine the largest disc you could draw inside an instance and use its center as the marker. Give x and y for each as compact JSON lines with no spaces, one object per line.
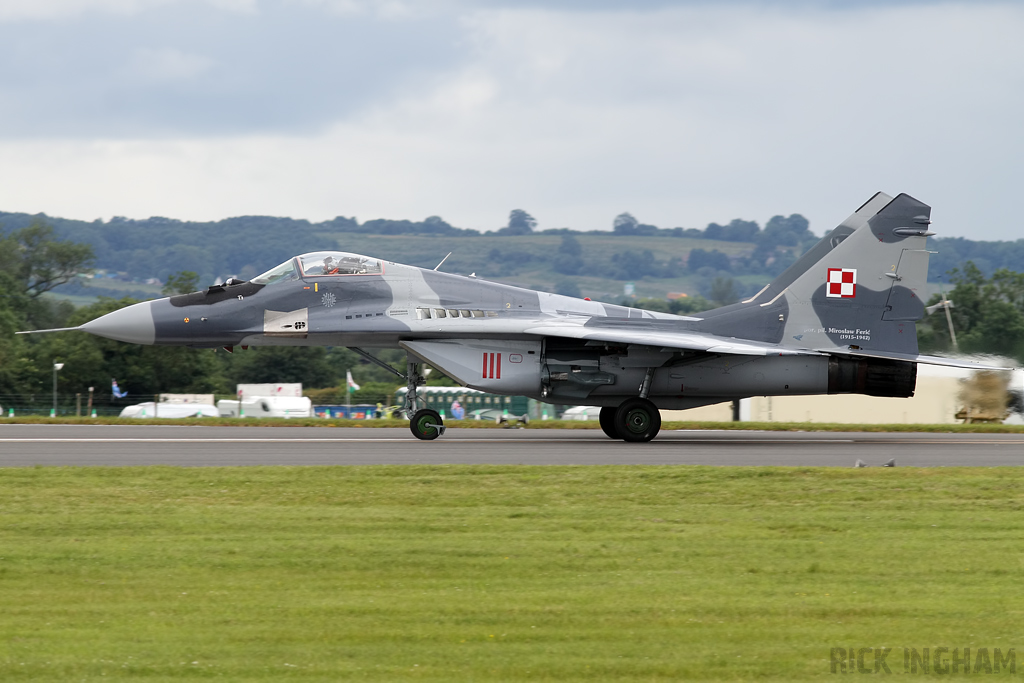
{"x":186,"y":70}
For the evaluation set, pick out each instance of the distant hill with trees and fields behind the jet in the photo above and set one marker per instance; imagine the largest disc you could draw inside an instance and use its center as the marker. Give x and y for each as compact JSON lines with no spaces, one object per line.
{"x":594,"y":264}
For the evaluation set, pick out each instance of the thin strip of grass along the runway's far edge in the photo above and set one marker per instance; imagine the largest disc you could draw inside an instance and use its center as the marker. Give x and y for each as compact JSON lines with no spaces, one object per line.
{"x":536,"y":424}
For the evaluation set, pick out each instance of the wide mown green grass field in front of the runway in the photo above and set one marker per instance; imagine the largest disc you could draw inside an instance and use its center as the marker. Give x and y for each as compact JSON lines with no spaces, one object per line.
{"x":499,"y":574}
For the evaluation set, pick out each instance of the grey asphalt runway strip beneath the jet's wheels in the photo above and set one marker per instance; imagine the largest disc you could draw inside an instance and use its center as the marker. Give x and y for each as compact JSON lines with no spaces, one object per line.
{"x":24,"y":446}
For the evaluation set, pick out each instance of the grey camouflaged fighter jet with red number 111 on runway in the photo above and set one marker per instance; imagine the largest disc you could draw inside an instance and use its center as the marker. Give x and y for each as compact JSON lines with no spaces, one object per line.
{"x":841,"y":320}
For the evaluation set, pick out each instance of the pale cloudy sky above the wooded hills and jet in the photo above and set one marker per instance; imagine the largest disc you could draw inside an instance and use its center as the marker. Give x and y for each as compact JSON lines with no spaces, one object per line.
{"x":680,"y":113}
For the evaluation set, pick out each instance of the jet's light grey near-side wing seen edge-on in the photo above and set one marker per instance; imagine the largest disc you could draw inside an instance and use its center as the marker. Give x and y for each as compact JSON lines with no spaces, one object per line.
{"x":682,"y":340}
